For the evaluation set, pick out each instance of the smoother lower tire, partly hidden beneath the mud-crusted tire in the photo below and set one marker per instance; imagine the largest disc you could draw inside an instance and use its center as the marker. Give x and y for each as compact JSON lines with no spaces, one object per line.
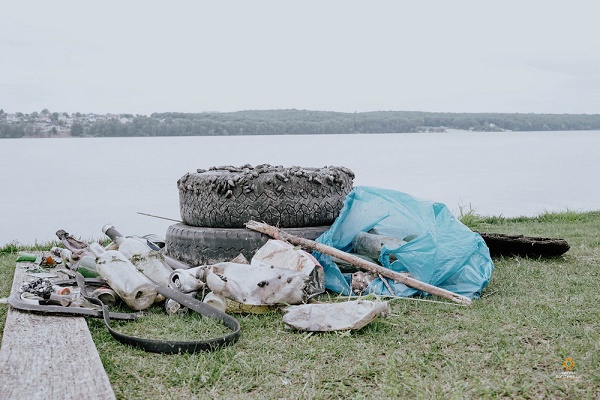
{"x":200,"y":245}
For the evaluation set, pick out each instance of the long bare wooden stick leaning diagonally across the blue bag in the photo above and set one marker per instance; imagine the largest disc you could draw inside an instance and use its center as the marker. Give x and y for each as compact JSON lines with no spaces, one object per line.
{"x":359,"y":262}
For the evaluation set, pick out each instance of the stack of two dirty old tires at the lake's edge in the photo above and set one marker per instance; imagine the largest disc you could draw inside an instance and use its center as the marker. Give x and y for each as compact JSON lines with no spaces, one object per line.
{"x":216,"y":203}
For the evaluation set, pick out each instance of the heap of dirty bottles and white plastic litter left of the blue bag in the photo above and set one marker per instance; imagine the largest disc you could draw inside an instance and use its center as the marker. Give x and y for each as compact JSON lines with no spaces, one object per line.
{"x":134,"y":270}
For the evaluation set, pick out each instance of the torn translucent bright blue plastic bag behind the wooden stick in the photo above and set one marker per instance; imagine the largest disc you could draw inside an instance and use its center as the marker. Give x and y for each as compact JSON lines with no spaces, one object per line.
{"x":444,"y":253}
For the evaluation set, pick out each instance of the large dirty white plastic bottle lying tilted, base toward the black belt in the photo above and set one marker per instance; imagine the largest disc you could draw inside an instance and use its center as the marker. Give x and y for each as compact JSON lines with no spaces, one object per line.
{"x":124,"y":278}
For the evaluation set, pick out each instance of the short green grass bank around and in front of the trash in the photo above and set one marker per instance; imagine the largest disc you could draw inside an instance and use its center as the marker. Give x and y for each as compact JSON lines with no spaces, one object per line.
{"x":510,"y":344}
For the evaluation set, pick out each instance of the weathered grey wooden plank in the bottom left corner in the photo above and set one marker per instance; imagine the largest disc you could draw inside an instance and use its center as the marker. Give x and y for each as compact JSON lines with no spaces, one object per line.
{"x":49,"y":357}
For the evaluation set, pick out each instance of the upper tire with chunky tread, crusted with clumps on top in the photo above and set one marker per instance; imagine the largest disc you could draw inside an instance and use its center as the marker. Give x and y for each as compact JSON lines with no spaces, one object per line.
{"x":228,"y":197}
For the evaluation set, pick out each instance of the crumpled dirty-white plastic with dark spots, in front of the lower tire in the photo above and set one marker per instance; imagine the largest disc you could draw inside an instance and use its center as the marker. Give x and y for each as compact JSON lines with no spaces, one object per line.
{"x":254,"y":285}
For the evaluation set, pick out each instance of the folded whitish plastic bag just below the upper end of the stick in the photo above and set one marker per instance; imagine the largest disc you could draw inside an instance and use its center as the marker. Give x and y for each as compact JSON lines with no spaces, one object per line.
{"x":281,"y":254}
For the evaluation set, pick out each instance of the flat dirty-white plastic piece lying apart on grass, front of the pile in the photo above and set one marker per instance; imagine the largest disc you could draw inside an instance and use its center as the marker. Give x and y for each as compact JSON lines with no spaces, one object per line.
{"x":342,"y":316}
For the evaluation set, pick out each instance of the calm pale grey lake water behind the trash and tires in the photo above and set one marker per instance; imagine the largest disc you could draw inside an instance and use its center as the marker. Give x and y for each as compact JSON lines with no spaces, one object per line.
{"x":81,"y":184}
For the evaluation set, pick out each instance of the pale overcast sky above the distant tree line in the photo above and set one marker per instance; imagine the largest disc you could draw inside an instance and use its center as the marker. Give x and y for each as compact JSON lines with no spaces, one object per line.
{"x":191,"y":56}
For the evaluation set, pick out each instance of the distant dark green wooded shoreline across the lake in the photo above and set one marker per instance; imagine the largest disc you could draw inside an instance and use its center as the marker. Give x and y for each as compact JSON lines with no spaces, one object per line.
{"x":292,"y":122}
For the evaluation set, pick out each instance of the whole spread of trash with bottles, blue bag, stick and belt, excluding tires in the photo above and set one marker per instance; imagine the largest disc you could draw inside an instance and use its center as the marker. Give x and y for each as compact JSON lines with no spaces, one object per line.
{"x":383,"y":242}
